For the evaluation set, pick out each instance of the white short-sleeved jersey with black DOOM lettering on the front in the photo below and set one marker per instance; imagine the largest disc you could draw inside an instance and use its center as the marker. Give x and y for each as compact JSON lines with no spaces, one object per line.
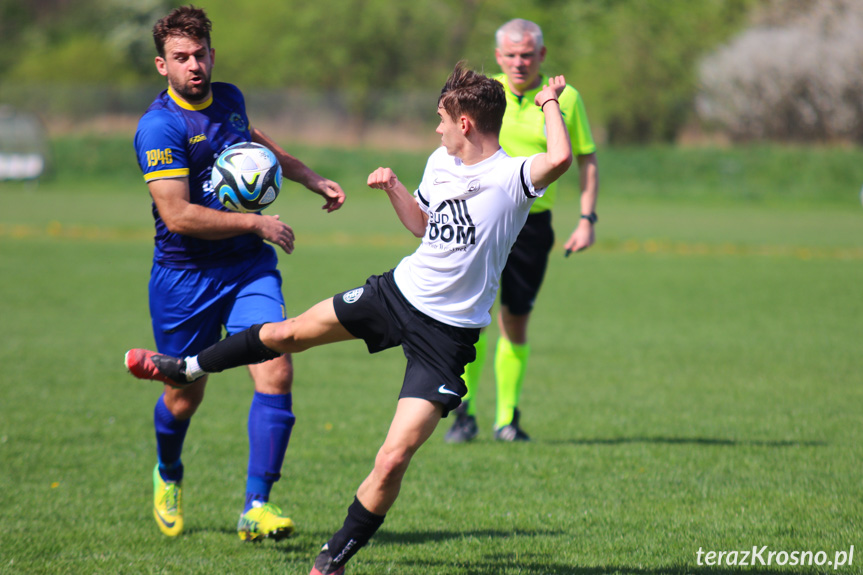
{"x":475,"y":215}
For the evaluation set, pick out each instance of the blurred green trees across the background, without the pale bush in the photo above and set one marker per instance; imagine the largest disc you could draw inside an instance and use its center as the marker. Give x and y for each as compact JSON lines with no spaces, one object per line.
{"x":641,"y":65}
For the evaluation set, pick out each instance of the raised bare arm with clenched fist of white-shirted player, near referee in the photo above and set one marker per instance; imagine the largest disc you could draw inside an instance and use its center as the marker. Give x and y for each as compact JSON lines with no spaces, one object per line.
{"x":548,"y":167}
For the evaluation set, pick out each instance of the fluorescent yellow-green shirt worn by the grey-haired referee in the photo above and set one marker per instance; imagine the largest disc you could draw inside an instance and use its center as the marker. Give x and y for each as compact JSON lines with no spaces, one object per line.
{"x":523,"y":131}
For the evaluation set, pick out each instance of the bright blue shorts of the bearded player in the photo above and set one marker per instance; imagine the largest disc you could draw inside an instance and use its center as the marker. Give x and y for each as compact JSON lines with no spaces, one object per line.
{"x":190,"y":307}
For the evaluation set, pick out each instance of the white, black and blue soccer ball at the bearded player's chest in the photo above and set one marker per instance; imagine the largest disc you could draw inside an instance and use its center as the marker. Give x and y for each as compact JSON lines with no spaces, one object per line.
{"x":246,"y":177}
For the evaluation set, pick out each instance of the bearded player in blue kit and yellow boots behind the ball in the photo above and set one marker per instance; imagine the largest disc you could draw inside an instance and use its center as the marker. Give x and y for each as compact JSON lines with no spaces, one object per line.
{"x":212,"y":268}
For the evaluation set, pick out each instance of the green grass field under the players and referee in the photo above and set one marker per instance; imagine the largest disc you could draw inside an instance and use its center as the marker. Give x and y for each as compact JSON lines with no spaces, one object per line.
{"x":694,"y":385}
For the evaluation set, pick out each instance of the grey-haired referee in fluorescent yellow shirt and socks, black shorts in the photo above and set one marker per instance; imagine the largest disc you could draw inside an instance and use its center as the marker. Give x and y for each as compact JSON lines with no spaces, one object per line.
{"x":520,"y":52}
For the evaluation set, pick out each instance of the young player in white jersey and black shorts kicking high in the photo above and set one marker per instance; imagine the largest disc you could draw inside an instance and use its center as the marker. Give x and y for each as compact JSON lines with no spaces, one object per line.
{"x":469,"y":208}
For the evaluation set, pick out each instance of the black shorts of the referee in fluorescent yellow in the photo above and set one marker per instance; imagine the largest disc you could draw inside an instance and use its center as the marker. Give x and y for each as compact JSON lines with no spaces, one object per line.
{"x":525,"y":267}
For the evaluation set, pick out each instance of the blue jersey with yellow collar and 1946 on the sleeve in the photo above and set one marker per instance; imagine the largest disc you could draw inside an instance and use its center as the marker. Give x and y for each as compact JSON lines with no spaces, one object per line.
{"x":176,"y":140}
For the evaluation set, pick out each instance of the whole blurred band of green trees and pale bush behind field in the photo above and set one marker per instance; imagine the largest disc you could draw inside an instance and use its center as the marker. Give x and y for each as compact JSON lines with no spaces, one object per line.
{"x":649,"y":70}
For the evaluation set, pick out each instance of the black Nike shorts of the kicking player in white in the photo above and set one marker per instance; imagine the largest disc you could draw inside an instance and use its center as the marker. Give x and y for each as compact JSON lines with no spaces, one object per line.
{"x":380,"y":315}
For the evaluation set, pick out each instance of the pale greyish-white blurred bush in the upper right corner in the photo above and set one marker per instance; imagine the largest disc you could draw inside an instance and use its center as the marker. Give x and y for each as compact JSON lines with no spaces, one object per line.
{"x":794,"y":75}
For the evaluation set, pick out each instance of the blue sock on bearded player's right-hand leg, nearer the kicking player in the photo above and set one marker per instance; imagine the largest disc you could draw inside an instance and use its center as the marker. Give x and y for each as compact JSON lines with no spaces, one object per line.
{"x":270,"y":423}
